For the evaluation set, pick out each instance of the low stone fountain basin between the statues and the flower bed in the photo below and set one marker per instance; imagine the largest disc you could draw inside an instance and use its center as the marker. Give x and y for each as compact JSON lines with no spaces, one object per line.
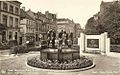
{"x":54,"y":54}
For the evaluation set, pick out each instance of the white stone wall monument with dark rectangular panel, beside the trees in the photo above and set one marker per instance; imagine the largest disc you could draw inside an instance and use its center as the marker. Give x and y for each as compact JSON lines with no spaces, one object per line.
{"x":94,"y":43}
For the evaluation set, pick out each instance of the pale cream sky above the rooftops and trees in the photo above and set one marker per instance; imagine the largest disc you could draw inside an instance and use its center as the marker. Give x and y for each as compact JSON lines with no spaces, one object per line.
{"x":78,"y":10}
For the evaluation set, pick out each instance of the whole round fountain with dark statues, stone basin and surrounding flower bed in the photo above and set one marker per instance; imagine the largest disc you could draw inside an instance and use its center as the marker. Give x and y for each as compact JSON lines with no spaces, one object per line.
{"x":60,"y":54}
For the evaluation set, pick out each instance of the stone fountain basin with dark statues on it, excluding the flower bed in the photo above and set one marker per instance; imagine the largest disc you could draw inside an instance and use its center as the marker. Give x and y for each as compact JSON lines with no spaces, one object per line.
{"x":61,"y":51}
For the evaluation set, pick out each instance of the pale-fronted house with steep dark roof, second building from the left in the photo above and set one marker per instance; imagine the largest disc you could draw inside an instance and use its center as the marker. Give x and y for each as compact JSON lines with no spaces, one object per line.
{"x":27,"y":24}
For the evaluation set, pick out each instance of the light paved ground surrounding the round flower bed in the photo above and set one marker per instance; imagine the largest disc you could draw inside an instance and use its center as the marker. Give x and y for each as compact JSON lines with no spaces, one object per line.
{"x":16,"y":65}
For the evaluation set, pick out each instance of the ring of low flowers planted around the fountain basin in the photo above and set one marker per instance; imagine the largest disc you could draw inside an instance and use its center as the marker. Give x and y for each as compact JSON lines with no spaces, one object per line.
{"x":55,"y":64}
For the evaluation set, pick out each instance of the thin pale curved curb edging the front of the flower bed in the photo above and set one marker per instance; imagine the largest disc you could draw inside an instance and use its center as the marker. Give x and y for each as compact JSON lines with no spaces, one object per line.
{"x":59,"y":71}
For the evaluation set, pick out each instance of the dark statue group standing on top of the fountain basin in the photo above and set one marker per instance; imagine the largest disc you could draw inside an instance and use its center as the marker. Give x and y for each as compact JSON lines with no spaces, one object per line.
{"x":61,"y":40}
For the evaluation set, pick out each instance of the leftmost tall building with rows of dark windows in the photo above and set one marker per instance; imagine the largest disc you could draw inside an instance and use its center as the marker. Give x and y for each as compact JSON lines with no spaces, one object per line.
{"x":10,"y":17}
